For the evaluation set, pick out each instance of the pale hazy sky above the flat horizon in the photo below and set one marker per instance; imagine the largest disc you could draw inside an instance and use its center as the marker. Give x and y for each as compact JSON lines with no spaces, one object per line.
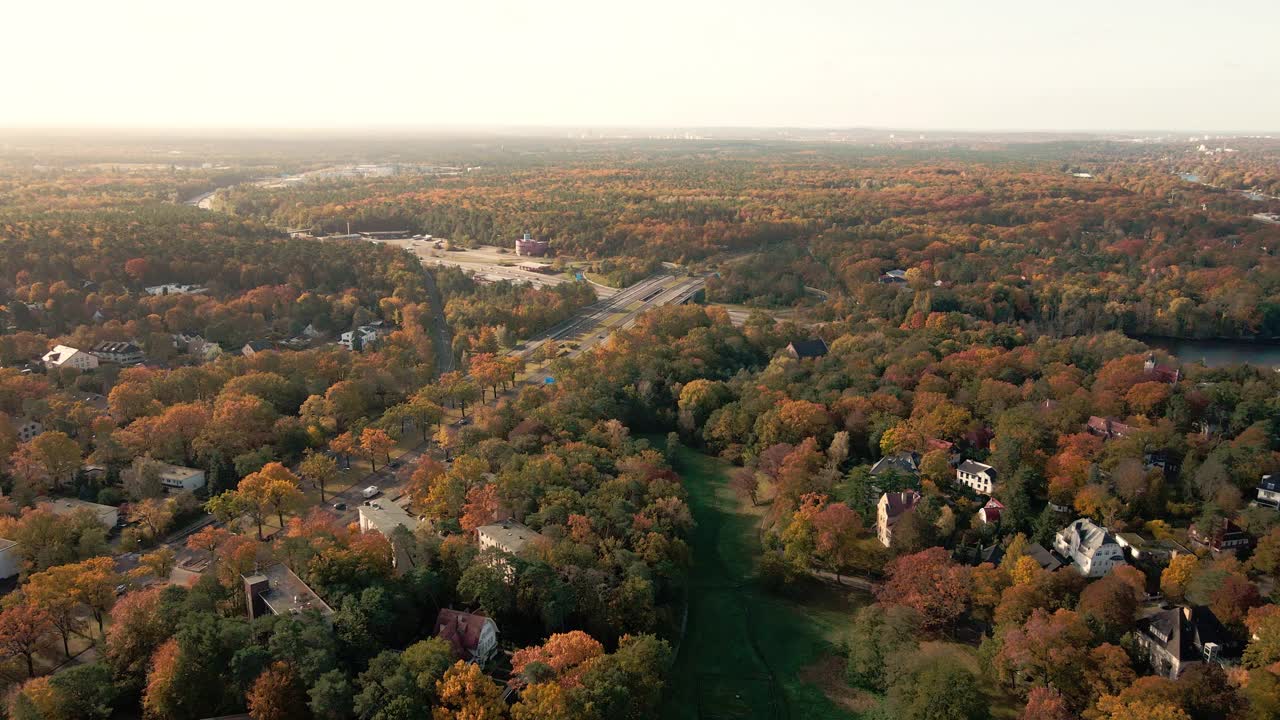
{"x":993,"y":65}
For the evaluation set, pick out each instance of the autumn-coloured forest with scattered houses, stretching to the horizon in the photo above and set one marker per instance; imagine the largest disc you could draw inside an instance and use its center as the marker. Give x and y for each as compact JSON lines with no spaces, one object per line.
{"x":880,"y":325}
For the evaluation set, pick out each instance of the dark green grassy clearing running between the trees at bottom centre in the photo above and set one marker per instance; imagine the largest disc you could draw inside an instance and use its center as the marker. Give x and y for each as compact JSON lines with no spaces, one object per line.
{"x":746,"y":653}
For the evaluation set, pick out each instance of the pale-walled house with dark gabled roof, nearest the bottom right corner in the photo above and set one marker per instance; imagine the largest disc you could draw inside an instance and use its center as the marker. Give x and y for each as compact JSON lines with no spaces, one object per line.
{"x":1181,"y":637}
